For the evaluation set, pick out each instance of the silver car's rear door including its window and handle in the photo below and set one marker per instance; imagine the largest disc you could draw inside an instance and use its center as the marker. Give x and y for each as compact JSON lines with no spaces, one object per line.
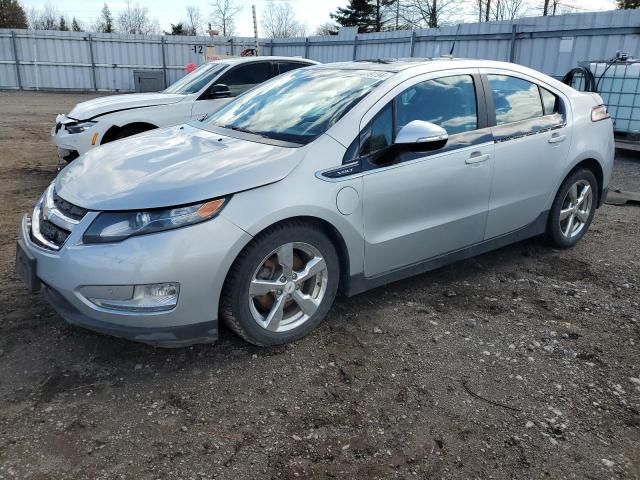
{"x":532,"y":142}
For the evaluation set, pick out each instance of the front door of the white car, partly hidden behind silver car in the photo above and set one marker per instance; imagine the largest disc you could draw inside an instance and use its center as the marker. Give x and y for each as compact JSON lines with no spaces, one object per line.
{"x":239,"y":79}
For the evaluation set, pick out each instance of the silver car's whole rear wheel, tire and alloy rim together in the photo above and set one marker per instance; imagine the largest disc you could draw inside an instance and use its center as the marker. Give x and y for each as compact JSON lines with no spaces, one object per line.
{"x":574,"y":205}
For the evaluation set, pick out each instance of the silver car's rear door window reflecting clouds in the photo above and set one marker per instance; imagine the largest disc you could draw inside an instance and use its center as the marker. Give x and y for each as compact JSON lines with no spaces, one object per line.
{"x":514,"y":99}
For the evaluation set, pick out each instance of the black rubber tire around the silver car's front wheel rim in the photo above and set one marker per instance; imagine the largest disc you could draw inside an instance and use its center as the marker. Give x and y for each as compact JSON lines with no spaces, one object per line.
{"x":234,"y":301}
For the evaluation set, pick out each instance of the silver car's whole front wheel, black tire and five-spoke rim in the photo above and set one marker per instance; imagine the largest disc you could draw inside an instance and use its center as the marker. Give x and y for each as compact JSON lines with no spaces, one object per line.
{"x":262,"y":266}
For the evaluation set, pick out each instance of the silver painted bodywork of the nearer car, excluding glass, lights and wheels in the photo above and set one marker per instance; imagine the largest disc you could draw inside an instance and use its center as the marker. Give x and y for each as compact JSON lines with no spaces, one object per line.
{"x":391,"y":221}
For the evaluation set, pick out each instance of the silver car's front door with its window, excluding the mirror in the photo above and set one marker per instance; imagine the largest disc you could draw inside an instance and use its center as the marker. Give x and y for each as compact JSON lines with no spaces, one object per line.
{"x":420,"y":205}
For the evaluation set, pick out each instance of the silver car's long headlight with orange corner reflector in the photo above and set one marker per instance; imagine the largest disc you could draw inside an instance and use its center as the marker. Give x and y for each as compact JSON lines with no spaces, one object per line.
{"x":117,"y":226}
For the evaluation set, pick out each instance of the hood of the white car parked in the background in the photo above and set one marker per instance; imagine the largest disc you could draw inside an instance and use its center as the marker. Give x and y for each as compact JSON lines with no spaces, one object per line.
{"x":100,"y":106}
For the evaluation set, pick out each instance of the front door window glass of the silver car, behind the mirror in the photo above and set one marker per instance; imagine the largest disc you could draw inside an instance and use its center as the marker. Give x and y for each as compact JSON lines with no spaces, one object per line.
{"x":449,"y":102}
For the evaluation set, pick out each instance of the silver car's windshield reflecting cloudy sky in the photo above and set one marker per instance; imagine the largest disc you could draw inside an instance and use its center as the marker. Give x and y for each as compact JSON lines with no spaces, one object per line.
{"x":298,"y":106}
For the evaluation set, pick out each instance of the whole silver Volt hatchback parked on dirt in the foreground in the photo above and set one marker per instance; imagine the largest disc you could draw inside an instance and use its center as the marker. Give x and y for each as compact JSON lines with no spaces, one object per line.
{"x":338,"y":177}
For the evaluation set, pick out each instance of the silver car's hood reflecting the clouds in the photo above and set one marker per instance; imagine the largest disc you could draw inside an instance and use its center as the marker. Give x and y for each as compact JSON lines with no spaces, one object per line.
{"x":171,"y":166}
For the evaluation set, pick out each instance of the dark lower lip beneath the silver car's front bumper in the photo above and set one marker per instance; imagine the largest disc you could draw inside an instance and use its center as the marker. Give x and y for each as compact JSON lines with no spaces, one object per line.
{"x":167,"y":337}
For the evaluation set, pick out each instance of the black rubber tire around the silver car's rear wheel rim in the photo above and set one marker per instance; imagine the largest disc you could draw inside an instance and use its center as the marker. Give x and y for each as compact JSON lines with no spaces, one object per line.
{"x":554,"y":233}
